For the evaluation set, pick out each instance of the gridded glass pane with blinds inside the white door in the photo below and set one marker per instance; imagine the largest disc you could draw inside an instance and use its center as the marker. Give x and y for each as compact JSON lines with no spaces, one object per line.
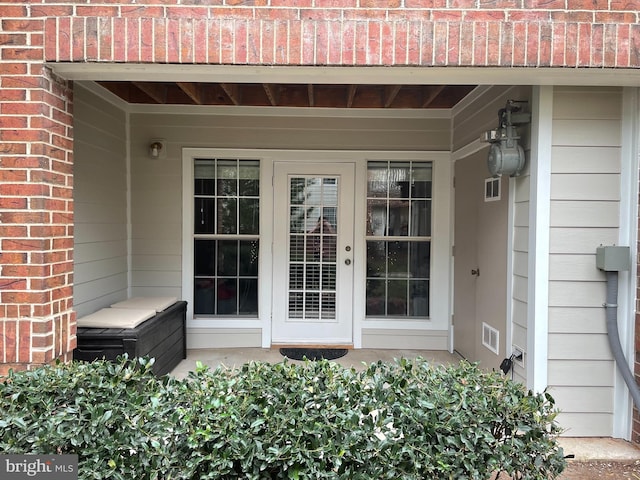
{"x":312,"y":243}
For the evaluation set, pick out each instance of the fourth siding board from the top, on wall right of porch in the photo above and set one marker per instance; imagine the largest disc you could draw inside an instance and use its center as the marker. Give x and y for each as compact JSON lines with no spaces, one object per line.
{"x":585,"y":187}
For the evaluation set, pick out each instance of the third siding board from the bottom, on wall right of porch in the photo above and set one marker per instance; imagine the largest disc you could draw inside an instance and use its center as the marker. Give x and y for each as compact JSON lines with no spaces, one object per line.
{"x":587,"y":372}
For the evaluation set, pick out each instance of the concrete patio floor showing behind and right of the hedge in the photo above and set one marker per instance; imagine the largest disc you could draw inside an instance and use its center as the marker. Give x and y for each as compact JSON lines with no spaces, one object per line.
{"x":584,"y":449}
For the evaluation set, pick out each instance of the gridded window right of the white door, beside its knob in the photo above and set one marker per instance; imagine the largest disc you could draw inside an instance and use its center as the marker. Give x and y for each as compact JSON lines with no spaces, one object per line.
{"x":398,"y":239}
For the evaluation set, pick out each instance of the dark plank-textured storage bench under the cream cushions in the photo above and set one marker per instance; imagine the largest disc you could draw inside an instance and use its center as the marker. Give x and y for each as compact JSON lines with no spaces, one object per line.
{"x":162,"y":336}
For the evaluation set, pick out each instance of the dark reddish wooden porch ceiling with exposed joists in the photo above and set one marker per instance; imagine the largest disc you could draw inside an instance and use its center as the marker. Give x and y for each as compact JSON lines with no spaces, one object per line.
{"x":289,"y":95}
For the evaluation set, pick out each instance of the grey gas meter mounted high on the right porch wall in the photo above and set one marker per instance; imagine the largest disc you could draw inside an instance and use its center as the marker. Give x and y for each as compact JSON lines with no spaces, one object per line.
{"x":506,"y":156}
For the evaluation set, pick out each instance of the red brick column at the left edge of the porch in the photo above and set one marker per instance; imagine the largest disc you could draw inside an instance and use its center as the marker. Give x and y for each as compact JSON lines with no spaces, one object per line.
{"x":37,"y":325}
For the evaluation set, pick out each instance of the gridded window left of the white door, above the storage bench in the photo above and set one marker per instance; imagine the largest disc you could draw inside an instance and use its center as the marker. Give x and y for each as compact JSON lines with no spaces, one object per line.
{"x":226,"y":241}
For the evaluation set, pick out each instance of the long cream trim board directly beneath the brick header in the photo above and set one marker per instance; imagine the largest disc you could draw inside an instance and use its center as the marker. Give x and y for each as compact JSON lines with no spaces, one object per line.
{"x":350,"y":74}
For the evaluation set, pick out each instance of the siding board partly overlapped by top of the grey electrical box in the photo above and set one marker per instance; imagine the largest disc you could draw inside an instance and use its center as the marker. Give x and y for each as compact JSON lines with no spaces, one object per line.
{"x":580,"y":240}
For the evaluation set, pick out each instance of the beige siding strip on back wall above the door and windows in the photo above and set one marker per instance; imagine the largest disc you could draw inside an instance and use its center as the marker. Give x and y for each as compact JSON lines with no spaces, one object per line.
{"x":295,"y":132}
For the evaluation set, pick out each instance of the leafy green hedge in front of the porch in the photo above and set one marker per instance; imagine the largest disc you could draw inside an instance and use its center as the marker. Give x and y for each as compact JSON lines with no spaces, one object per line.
{"x":406,"y":420}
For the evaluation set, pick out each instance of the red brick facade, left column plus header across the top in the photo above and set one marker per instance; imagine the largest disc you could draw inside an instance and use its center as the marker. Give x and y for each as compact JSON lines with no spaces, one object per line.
{"x":37,"y":324}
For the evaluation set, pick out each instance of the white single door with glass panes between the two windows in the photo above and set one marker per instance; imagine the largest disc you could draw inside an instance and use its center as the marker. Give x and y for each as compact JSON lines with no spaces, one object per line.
{"x":313,"y":253}
